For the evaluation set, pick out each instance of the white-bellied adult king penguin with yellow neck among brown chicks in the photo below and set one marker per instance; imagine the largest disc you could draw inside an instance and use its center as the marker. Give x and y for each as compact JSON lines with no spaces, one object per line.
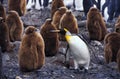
{"x":77,"y":48}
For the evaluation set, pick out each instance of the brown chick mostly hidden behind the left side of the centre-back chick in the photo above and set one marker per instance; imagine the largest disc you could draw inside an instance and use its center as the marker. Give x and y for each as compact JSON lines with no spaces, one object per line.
{"x":57,"y":16}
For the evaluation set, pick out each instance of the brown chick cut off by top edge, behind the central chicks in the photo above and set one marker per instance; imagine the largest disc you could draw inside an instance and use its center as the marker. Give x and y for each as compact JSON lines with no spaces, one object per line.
{"x":55,"y":5}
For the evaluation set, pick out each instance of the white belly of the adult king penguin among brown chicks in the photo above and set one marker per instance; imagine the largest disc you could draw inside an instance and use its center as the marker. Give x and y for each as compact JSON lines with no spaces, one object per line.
{"x":79,"y":51}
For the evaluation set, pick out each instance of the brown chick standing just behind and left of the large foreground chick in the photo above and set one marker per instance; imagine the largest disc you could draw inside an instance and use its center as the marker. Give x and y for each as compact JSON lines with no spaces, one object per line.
{"x":15,"y":26}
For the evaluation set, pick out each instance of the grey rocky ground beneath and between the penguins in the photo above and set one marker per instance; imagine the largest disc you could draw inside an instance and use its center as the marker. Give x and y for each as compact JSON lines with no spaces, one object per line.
{"x":54,"y":67}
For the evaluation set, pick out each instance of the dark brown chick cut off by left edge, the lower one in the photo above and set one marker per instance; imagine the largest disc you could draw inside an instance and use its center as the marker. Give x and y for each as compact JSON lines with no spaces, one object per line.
{"x":4,"y":36}
